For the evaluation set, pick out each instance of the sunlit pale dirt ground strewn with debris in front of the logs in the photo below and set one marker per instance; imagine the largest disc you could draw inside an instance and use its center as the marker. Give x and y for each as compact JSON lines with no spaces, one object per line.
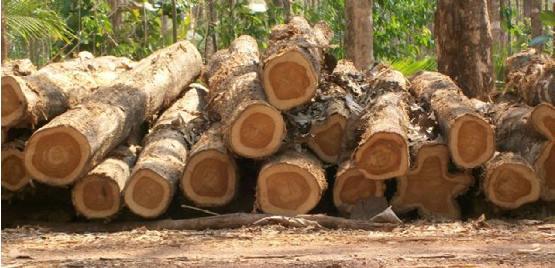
{"x":525,"y":243}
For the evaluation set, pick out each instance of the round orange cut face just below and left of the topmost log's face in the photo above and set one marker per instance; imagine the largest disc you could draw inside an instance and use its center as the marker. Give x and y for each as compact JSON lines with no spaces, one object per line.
{"x":257,"y":132}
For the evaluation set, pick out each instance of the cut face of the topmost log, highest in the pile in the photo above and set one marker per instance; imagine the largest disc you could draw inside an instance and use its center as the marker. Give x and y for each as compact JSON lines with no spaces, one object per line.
{"x":289,"y":80}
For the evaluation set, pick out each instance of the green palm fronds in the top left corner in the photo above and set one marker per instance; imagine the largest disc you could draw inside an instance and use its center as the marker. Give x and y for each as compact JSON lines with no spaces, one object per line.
{"x":30,"y":19}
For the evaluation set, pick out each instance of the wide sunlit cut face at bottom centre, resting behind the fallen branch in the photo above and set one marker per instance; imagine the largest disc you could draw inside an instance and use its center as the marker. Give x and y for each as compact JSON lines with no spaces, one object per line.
{"x":286,"y":189}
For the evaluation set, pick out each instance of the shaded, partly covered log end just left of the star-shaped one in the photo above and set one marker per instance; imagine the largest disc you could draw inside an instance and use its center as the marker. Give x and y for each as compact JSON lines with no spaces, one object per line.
{"x":351,"y":187}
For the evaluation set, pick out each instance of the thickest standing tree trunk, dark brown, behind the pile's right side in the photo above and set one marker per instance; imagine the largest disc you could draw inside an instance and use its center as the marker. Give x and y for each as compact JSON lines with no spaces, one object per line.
{"x":463,"y":43}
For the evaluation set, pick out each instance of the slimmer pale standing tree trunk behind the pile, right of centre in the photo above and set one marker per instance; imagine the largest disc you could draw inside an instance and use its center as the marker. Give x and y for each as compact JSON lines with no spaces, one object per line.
{"x":358,"y":33}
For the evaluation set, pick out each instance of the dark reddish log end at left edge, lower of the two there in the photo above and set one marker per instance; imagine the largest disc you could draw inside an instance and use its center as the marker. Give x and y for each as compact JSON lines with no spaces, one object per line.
{"x":14,"y":175}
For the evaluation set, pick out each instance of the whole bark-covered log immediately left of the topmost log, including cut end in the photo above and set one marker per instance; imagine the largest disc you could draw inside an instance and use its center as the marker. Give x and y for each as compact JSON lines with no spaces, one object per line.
{"x":252,"y":128}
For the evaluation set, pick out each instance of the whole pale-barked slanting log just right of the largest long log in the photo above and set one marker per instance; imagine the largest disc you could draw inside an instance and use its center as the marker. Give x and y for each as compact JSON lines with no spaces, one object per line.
{"x":152,"y":184}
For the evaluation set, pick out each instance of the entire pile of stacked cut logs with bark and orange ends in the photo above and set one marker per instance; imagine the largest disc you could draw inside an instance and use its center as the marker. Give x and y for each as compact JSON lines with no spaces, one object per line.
{"x":136,"y":134}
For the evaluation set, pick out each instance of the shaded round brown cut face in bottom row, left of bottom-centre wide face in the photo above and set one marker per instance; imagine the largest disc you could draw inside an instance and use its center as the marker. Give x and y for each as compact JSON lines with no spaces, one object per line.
{"x":210,"y":179}
